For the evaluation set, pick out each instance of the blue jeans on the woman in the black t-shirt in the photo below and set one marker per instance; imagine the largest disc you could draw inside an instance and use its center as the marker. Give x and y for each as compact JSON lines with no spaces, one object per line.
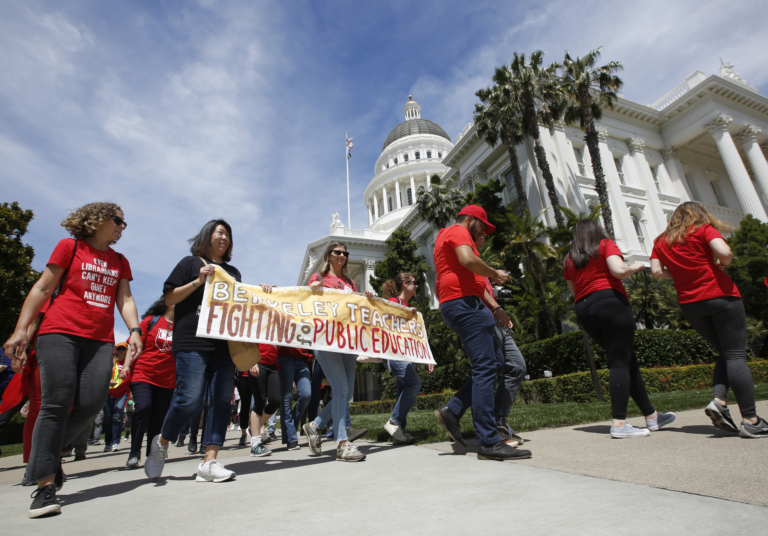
{"x":196,"y":371}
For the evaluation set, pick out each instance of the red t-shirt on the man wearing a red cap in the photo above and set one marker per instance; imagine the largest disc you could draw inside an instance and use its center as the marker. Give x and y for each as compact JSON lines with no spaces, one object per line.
{"x":454,"y":280}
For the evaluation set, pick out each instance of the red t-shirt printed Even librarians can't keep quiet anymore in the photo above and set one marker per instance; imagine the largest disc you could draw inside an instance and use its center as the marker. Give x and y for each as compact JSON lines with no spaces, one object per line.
{"x":85,"y":306}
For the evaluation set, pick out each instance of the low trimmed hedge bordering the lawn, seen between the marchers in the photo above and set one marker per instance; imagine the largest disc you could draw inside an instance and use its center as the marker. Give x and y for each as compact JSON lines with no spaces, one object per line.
{"x":577,"y":387}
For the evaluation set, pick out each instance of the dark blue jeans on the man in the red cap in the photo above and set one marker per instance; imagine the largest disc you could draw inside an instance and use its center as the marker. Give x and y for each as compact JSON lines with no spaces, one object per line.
{"x":475,"y":325}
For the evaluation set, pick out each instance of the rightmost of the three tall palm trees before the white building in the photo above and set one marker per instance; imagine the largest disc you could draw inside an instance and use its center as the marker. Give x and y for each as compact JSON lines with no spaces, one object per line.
{"x":587,"y":88}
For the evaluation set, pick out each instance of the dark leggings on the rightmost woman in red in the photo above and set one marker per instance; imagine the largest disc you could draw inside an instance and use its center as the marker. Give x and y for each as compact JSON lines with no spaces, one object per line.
{"x":723,"y":324}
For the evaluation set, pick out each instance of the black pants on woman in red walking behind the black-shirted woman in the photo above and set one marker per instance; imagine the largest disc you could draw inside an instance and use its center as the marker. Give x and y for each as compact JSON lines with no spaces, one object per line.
{"x":150,"y":404}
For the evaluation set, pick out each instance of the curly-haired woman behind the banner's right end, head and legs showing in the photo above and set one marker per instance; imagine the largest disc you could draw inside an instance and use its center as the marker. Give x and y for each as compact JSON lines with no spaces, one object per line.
{"x":401,"y":290}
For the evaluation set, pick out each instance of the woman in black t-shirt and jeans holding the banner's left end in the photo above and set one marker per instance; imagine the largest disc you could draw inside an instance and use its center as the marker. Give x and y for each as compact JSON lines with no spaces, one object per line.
{"x":200,"y":362}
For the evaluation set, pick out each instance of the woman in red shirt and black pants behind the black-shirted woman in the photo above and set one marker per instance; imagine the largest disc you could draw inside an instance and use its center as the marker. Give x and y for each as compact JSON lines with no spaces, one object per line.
{"x":153,"y":378}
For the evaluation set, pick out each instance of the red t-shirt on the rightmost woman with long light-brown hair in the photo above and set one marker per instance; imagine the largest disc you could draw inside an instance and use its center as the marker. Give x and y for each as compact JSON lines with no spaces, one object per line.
{"x":692,"y":265}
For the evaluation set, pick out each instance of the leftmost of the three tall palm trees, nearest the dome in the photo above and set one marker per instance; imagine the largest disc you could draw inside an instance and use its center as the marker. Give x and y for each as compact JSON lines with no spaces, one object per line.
{"x":497,"y":118}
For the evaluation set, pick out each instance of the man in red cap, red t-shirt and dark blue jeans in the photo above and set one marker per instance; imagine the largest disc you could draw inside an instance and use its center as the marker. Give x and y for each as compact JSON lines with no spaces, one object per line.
{"x":461,"y":277}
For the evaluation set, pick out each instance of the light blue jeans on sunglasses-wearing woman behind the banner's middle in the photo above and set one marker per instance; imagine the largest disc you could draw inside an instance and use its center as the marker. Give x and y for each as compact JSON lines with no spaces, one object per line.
{"x":340,"y":371}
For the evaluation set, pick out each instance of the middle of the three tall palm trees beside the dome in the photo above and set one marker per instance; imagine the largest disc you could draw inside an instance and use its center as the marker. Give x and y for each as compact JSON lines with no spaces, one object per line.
{"x":535,"y":88}
